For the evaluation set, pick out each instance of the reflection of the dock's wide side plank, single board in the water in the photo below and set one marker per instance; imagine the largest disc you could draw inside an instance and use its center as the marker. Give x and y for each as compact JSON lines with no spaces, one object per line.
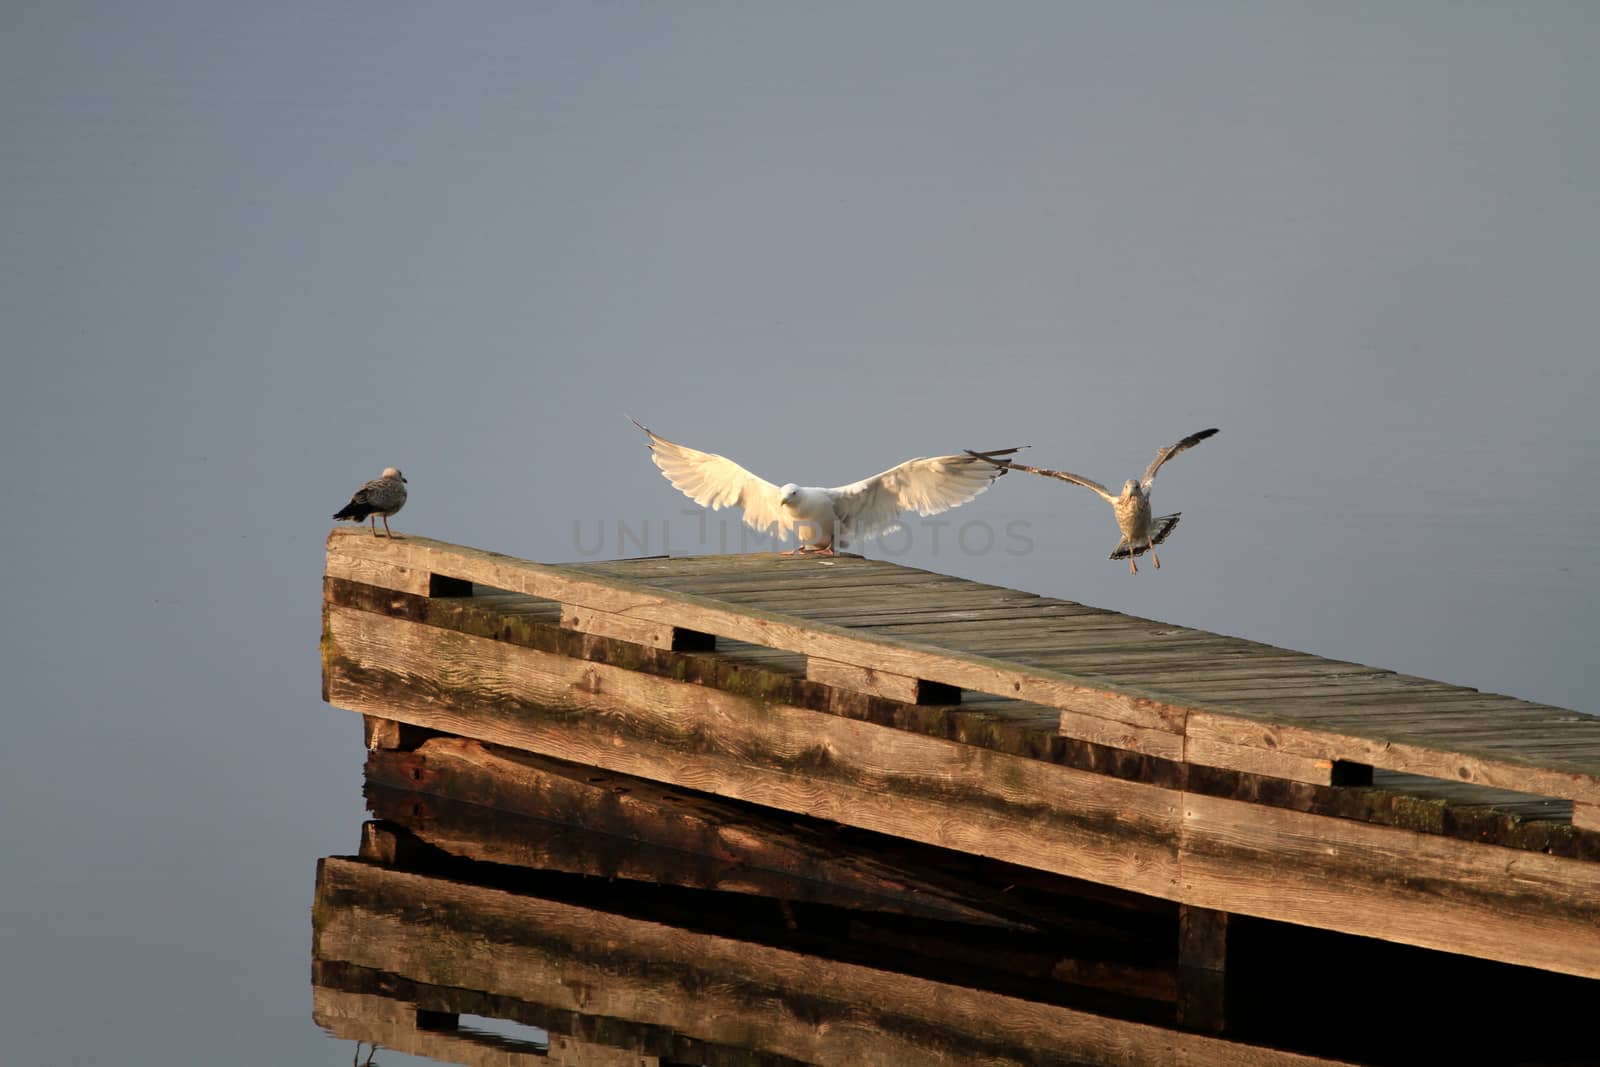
{"x":718,"y":989}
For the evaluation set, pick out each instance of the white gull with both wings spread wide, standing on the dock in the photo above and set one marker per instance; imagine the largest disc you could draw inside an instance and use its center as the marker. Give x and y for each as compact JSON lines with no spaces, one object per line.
{"x":828,"y":516}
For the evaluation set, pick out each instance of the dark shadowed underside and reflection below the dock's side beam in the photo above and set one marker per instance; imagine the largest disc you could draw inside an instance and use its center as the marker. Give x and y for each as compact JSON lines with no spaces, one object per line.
{"x":636,"y":924}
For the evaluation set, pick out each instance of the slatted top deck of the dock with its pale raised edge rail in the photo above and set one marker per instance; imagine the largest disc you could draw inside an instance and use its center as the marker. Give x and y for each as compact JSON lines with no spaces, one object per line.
{"x":1111,"y":705}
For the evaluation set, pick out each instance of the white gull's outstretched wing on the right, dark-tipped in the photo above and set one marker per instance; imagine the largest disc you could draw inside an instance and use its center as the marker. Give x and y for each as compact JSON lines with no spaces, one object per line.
{"x":927,"y":487}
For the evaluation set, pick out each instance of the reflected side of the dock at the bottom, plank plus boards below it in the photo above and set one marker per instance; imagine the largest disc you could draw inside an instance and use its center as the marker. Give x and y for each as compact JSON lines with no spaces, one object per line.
{"x":654,"y":986}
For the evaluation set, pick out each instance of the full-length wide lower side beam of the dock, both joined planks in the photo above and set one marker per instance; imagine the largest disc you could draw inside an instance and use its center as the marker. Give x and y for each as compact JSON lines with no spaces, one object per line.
{"x":983,"y":802}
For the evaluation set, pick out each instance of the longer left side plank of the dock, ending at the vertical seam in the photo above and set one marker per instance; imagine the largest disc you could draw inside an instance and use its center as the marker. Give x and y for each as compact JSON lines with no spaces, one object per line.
{"x":1012,"y":809}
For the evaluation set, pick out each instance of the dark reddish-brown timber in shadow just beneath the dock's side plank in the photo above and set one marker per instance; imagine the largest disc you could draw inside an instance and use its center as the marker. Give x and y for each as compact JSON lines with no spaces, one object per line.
{"x":532,"y":812}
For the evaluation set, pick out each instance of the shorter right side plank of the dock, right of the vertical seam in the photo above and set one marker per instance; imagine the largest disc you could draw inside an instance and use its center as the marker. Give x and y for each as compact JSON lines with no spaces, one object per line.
{"x":1478,"y":900}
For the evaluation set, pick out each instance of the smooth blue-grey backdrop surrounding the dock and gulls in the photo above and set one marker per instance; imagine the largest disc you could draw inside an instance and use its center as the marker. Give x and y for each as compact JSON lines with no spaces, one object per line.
{"x":254,"y":254}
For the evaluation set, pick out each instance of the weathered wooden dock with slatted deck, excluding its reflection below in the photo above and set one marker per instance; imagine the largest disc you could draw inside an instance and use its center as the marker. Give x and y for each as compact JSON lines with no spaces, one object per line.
{"x":1202,"y":773}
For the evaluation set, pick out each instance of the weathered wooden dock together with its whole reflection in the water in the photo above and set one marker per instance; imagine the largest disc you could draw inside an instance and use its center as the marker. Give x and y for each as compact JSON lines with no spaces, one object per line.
{"x":756,"y":810}
